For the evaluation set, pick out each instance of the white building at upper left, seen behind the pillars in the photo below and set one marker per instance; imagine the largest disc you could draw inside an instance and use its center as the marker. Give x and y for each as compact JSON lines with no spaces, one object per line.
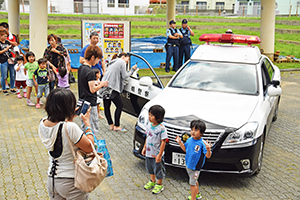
{"x":112,"y":7}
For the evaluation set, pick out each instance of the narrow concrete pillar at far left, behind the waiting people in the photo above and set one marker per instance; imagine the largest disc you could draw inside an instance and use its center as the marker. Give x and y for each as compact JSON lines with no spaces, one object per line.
{"x":14,"y":16}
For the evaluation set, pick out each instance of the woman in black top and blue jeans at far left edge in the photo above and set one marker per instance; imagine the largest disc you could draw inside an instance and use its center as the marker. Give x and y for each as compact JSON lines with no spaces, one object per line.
{"x":5,"y":49}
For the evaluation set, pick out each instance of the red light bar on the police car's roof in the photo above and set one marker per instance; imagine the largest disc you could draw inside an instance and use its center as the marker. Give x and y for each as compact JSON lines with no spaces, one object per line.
{"x":230,"y":38}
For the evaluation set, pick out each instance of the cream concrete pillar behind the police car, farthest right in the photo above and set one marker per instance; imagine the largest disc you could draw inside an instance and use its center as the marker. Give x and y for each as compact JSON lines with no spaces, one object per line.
{"x":267,"y":27}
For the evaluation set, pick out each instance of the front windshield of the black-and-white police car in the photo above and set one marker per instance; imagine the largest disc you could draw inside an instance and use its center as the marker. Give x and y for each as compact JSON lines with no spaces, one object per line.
{"x":214,"y":76}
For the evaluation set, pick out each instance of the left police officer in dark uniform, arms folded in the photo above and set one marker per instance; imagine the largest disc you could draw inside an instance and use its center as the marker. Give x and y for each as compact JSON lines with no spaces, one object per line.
{"x":172,"y":46}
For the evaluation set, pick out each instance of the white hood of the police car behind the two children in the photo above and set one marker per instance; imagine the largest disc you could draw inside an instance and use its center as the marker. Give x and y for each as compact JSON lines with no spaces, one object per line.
{"x":218,"y":109}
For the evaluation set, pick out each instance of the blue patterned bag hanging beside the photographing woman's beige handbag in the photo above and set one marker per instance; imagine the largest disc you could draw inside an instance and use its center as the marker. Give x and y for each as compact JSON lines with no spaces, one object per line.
{"x":100,"y":146}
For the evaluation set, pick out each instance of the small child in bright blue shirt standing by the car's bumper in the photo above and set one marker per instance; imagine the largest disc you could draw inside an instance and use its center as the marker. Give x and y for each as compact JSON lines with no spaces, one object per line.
{"x":196,"y":150}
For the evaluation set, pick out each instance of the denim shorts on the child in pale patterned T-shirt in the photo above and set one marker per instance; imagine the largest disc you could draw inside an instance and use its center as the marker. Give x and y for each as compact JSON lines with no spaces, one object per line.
{"x":158,"y":169}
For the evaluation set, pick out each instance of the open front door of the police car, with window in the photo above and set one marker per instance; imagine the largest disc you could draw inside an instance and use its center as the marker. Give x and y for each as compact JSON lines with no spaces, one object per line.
{"x":136,"y":92}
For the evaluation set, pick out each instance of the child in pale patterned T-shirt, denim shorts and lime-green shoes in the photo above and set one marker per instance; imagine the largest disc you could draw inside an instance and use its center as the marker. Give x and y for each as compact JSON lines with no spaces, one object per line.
{"x":154,"y":148}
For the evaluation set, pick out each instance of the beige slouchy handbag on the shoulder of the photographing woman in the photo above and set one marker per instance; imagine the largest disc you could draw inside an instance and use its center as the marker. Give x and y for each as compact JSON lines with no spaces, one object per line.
{"x":90,"y":169}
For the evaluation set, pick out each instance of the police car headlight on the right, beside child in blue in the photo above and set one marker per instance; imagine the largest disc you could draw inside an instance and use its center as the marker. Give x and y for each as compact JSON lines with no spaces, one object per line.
{"x":242,"y":137}
